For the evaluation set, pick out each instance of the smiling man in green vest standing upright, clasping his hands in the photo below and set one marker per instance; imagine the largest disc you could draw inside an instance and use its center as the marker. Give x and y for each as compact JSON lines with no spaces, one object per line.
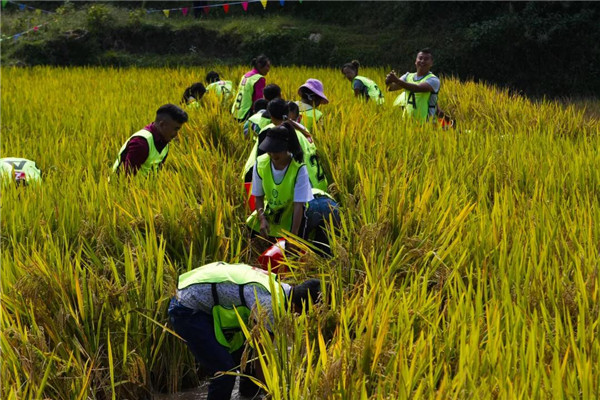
{"x":419,"y":100}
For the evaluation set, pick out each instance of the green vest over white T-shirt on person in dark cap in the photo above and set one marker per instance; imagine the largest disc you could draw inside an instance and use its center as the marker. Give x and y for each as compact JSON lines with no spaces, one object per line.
{"x":279,"y":198}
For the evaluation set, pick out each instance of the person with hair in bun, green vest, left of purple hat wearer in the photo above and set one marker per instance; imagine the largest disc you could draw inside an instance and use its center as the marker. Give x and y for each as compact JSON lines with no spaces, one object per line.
{"x":250,"y":88}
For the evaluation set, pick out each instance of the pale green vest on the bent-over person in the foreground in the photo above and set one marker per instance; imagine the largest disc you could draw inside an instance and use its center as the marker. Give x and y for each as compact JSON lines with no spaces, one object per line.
{"x":227,"y":325}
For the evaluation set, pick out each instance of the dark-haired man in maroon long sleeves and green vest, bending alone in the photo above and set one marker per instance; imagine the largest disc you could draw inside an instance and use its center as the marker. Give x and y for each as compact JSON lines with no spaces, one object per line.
{"x":146,"y":150}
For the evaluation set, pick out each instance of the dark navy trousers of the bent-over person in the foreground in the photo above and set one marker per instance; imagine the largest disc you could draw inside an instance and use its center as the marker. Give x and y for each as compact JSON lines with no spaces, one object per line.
{"x":197,"y":328}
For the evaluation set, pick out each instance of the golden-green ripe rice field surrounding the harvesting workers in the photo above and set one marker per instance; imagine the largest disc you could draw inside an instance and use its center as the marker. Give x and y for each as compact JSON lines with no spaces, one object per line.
{"x":466,"y":265}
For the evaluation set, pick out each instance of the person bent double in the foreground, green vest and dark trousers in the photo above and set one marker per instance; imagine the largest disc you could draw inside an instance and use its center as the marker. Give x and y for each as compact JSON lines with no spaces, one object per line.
{"x":205,"y":309}
